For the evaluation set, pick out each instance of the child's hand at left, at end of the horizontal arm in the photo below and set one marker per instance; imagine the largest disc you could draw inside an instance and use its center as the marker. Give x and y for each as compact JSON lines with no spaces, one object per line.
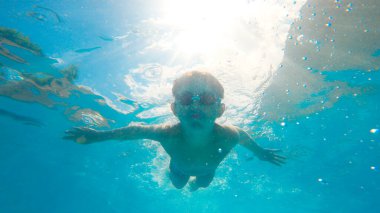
{"x":82,"y":135}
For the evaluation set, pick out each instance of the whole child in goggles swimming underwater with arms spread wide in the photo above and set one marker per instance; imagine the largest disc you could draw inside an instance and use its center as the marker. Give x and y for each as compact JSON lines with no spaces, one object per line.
{"x":196,"y":144}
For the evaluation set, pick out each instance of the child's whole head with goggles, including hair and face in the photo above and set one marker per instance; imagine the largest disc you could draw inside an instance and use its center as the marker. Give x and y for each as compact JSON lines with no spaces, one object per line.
{"x":198,"y":98}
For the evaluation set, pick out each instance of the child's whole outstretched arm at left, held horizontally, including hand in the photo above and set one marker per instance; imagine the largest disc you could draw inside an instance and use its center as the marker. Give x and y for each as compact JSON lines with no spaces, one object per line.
{"x":85,"y":135}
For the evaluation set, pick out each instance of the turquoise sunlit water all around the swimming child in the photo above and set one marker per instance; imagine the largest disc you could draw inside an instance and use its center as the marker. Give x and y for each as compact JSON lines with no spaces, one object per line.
{"x":302,"y":77}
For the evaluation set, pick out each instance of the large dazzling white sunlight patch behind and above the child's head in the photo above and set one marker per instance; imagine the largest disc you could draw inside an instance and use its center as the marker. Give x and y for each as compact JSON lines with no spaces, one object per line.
{"x":240,"y":42}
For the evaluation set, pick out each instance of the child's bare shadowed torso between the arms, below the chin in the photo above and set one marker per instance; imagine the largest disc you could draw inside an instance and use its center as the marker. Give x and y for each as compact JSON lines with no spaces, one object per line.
{"x":199,"y":159}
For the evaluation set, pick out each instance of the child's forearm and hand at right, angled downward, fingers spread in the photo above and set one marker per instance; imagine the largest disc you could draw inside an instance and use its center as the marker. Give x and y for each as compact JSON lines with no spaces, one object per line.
{"x":269,"y":155}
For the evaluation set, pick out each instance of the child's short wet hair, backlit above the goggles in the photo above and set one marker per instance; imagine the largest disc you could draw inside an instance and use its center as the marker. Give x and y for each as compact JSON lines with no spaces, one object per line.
{"x":198,"y":76}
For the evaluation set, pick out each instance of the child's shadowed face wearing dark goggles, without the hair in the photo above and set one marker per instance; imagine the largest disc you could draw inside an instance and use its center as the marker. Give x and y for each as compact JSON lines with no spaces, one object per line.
{"x":197,"y":105}
